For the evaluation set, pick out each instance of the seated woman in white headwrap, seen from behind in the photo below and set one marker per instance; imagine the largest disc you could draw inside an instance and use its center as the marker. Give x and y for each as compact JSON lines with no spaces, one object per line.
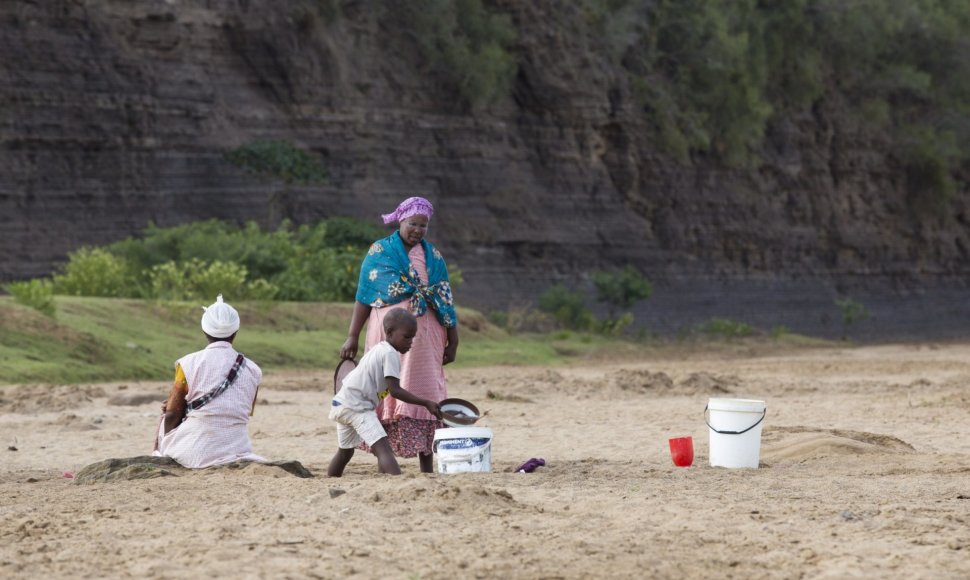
{"x":205,"y":420}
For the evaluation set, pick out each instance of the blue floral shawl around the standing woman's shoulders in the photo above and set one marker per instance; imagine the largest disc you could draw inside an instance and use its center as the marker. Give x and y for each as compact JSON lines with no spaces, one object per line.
{"x":388,"y":277}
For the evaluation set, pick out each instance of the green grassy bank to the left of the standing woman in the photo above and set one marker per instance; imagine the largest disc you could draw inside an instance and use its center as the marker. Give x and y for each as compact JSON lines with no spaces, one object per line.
{"x":100,"y":339}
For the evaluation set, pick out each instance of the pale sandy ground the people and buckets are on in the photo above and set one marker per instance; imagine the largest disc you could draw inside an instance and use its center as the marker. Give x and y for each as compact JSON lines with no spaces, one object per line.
{"x":865,"y":473}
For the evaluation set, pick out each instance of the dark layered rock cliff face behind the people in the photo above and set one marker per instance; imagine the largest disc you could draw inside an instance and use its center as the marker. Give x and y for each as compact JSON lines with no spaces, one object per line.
{"x":114,"y":114}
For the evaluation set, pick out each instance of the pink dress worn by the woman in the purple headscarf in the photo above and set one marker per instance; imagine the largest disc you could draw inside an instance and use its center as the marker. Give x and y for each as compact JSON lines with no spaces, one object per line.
{"x":410,"y":428}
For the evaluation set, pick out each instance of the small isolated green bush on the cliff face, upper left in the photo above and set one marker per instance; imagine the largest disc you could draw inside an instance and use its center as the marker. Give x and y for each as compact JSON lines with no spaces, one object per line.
{"x":278,"y":160}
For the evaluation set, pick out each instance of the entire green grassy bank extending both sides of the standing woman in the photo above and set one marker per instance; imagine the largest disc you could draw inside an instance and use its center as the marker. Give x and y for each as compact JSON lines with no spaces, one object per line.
{"x":105,"y":339}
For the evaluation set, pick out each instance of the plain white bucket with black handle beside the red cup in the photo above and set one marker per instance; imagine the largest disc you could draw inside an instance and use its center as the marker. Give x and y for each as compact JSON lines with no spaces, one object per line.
{"x":735,"y":430}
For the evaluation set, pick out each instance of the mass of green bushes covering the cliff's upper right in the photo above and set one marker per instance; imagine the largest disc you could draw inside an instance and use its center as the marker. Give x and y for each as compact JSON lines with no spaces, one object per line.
{"x":710,"y":77}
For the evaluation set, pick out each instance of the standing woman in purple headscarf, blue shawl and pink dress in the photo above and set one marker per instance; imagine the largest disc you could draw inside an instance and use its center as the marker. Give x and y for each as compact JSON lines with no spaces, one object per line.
{"x":404,"y":270}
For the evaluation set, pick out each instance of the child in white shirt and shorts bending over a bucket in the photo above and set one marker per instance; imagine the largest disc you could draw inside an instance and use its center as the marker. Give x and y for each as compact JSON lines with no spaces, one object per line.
{"x":377,"y":376}
